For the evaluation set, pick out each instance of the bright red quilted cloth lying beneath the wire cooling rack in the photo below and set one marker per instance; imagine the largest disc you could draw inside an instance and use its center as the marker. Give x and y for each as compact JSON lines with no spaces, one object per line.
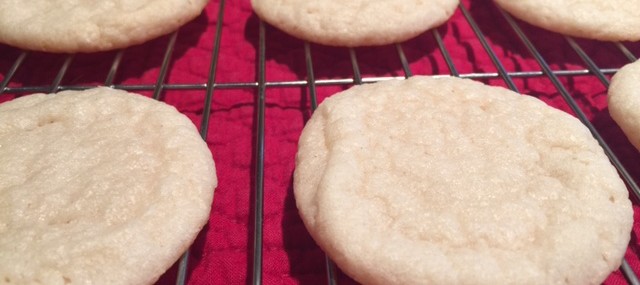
{"x":222,"y":254}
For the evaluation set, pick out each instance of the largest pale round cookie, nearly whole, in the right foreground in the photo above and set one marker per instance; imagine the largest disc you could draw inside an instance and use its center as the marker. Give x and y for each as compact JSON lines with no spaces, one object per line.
{"x":449,"y":181}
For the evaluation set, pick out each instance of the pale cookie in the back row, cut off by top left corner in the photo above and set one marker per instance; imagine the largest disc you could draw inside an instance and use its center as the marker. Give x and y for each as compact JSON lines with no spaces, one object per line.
{"x":88,"y":26}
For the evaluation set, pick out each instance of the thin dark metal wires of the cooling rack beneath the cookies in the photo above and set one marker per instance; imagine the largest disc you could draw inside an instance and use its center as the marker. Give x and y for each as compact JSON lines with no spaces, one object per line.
{"x":311,"y":84}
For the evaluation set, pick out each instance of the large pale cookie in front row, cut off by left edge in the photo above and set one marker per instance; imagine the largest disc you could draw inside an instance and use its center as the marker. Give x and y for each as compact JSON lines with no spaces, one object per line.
{"x":98,"y":187}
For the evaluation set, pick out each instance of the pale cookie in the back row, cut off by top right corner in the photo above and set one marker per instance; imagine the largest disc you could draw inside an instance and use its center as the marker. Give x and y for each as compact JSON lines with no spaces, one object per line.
{"x":605,"y":20}
